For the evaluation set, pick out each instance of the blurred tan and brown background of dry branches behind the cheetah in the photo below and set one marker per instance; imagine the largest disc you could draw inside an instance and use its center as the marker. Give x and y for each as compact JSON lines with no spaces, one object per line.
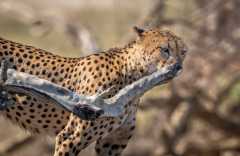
{"x":198,"y":114}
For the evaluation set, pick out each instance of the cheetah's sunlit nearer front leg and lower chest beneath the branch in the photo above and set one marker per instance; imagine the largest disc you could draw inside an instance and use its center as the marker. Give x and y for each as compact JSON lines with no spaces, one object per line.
{"x":78,"y":134}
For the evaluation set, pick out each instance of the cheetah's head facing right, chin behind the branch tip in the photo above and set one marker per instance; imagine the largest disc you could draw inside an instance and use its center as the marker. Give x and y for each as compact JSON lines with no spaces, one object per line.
{"x":160,"y":49}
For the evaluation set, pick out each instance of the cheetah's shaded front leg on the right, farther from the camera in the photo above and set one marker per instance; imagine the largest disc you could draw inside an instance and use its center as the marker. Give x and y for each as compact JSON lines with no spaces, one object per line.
{"x":115,"y":143}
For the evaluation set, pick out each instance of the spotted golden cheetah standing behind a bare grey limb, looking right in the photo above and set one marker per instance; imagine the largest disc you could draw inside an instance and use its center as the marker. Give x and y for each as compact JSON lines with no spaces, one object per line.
{"x":152,"y":50}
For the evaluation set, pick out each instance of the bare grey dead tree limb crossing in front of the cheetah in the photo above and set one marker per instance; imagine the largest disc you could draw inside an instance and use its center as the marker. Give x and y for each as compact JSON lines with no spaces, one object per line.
{"x":86,"y":107}
